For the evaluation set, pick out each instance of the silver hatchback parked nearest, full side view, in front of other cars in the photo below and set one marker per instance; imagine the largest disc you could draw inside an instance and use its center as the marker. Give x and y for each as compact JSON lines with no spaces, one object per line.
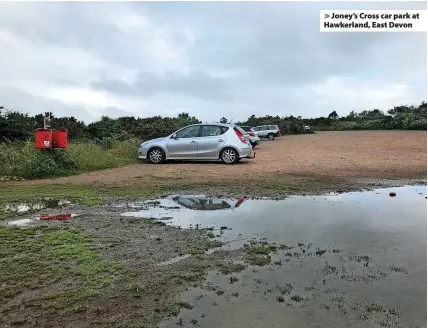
{"x":206,"y":142}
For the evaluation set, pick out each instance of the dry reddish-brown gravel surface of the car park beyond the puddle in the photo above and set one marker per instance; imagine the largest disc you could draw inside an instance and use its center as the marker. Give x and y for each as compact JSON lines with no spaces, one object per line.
{"x":354,"y":154}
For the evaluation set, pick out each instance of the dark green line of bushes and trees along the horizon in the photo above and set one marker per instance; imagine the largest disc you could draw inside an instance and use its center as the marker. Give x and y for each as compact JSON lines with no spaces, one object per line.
{"x":17,"y":126}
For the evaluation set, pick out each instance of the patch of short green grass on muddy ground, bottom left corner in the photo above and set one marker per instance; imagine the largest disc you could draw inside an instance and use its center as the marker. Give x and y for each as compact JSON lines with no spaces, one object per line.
{"x":39,"y":258}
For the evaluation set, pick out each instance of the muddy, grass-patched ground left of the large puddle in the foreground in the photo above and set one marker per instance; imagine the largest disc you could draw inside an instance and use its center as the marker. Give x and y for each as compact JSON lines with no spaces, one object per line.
{"x":100,"y":269}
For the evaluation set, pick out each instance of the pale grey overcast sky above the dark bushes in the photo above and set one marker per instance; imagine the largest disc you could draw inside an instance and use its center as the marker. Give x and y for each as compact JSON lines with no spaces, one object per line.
{"x":209,"y":59}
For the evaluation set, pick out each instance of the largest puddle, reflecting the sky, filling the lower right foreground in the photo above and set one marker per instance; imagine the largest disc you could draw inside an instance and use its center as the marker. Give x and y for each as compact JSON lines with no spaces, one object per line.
{"x":354,"y":259}
